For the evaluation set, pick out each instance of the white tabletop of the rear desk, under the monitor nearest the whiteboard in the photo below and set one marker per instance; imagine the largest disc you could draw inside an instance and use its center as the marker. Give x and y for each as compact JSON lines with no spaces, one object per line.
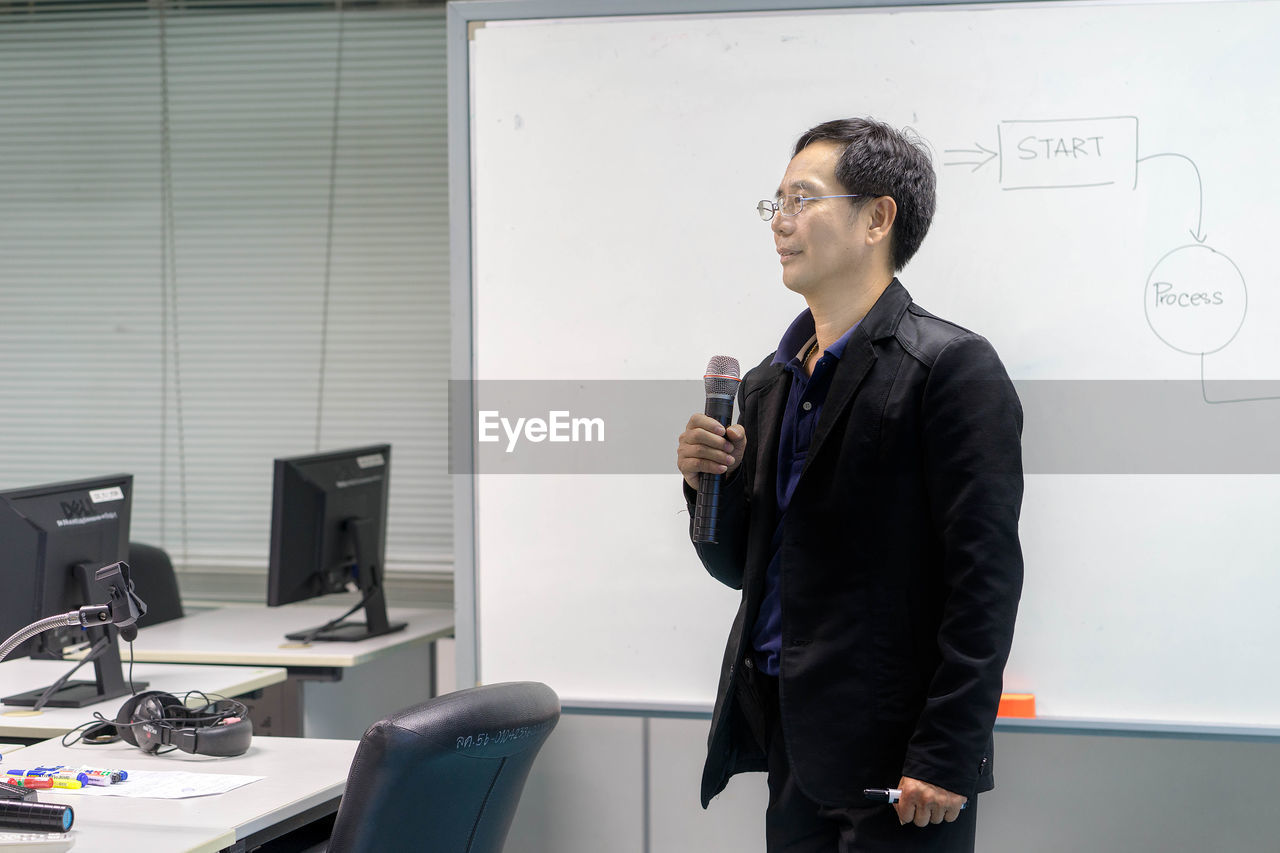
{"x":254,"y":635}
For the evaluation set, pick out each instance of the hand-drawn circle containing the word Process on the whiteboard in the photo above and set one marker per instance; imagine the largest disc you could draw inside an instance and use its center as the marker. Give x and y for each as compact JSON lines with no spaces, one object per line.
{"x":1196,"y":300}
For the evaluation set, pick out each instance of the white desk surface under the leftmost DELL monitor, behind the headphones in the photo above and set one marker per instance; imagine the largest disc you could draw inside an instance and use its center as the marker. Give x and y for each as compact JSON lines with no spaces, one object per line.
{"x":25,"y":674}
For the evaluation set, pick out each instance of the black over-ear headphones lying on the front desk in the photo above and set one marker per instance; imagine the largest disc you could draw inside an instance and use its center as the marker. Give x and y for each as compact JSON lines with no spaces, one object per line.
{"x":156,"y":719}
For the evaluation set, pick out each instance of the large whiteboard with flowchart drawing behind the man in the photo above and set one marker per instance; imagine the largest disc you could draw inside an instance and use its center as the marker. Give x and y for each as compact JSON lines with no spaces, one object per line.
{"x":1095,"y":162}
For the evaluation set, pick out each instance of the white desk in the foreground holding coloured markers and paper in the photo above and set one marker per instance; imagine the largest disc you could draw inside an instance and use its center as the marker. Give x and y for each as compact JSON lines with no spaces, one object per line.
{"x":303,"y":782}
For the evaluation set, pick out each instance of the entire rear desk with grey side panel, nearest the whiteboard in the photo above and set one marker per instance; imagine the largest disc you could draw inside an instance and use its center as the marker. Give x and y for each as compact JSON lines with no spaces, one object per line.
{"x":335,"y":690}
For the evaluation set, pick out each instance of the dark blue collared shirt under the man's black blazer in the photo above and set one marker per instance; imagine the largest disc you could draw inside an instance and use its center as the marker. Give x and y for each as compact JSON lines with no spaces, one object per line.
{"x":799,"y":419}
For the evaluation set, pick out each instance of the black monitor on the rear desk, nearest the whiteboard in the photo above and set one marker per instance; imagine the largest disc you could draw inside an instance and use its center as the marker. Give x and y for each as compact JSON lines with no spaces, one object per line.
{"x":328,"y":532}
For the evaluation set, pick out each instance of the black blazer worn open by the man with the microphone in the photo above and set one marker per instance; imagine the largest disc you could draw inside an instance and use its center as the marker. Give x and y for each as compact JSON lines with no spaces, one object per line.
{"x":902,"y":567}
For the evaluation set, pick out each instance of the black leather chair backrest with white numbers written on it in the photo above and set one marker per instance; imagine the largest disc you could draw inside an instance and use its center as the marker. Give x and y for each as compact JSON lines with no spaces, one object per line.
{"x":445,"y":776}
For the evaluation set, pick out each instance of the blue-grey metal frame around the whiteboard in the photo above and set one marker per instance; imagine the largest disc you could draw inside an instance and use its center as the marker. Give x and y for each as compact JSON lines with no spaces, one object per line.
{"x":461,"y":16}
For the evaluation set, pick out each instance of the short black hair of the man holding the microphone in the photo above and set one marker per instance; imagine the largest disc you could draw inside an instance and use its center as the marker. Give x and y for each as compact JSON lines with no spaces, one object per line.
{"x":881,"y":161}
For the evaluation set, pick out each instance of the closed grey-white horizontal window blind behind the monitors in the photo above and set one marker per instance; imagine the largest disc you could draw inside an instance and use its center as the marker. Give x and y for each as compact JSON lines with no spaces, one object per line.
{"x":223,"y":240}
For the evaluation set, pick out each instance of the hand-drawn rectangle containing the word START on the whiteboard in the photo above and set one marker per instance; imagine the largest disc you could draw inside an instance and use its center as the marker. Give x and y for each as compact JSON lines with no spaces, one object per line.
{"x":1069,"y":153}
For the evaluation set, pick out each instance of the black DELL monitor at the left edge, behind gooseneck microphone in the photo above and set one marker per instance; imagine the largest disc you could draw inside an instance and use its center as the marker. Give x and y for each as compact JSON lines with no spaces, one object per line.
{"x":54,"y":540}
